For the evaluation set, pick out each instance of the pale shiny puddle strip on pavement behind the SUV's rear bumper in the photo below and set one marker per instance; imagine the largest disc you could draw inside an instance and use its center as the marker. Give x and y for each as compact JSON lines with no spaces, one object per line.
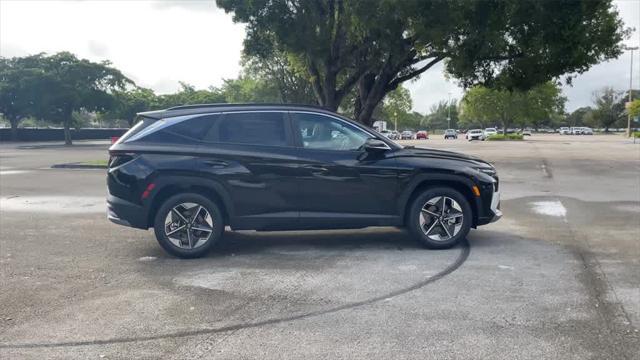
{"x":53,"y":204}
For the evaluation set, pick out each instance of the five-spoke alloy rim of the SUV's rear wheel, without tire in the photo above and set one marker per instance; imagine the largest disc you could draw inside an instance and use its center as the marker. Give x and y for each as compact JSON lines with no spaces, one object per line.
{"x":188,"y":225}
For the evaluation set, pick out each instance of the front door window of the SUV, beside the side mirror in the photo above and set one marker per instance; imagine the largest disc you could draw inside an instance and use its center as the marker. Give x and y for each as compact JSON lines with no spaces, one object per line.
{"x":326,"y":133}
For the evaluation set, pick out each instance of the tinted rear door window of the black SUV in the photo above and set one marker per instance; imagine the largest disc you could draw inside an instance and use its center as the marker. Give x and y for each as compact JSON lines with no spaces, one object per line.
{"x":258,"y":128}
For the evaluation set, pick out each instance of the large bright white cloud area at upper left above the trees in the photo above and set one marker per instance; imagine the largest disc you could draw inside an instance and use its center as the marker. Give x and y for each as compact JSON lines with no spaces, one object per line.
{"x":155,"y":43}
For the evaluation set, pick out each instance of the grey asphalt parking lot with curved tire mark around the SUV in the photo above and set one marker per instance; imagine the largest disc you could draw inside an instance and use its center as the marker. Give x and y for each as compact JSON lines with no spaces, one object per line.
{"x":558,"y":277}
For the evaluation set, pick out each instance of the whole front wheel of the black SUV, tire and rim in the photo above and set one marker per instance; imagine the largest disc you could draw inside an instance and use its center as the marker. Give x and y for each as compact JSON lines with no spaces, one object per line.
{"x":440,"y":218}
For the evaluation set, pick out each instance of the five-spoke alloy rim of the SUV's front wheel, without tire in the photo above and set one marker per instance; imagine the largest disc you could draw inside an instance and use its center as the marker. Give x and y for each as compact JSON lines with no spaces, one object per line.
{"x":441,"y":218}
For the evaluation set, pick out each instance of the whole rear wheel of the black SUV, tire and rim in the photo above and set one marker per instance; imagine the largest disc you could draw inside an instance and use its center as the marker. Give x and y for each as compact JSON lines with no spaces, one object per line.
{"x":198,"y":243}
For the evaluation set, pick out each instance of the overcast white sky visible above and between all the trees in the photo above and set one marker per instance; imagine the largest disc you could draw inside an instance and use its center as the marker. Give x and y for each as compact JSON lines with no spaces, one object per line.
{"x":158,"y":43}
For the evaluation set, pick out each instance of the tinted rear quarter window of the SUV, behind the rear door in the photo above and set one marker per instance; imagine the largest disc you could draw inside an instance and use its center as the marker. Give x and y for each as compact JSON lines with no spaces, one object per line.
{"x":184,"y":132}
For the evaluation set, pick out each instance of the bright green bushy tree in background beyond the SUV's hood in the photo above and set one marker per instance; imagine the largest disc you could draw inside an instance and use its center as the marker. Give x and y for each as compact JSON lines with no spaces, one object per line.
{"x":484,"y":106}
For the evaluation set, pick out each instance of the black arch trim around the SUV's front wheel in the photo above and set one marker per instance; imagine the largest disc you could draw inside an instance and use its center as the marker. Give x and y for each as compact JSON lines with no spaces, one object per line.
{"x":423,"y":182}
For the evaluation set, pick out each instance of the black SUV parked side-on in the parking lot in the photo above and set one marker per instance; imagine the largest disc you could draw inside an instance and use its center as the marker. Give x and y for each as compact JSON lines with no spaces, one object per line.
{"x":189,"y":171}
